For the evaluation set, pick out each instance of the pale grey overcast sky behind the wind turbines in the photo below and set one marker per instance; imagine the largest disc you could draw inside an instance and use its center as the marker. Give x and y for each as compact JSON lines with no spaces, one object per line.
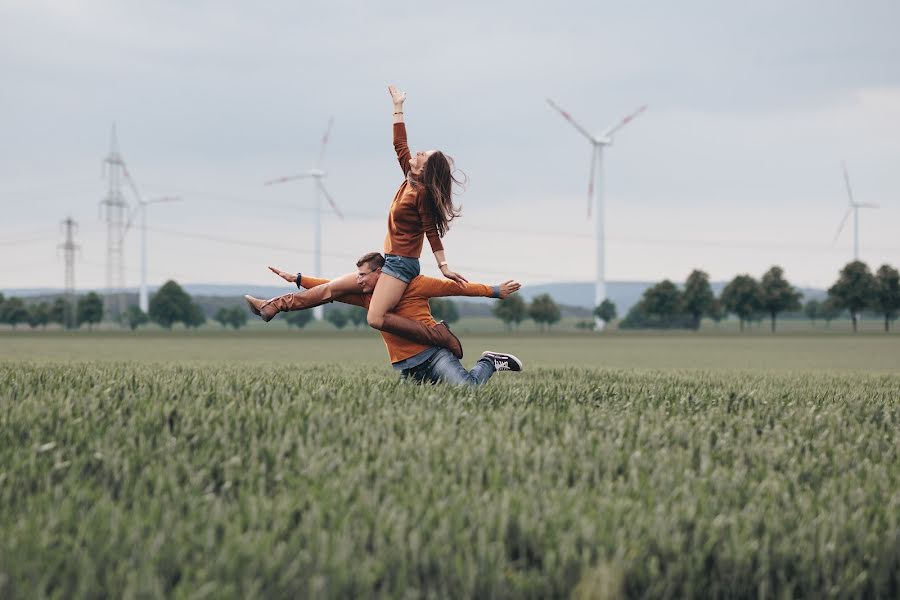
{"x":735,"y":165}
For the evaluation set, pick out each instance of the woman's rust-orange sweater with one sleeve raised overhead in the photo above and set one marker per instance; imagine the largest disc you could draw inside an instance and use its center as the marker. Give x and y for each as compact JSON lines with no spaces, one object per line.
{"x":410,"y":218}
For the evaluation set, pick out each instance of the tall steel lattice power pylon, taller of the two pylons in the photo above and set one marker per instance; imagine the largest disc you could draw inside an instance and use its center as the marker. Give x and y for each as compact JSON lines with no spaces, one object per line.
{"x":116,"y":208}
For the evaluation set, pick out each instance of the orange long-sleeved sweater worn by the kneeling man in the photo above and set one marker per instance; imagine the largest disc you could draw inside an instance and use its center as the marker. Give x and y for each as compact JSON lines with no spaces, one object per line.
{"x":413,"y":305}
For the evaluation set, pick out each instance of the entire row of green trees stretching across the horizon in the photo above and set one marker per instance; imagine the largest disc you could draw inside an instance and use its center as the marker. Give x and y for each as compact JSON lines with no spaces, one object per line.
{"x":662,"y":306}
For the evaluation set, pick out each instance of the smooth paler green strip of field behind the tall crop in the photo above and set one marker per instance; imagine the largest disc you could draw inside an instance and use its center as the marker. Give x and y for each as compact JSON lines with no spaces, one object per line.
{"x":711,"y":349}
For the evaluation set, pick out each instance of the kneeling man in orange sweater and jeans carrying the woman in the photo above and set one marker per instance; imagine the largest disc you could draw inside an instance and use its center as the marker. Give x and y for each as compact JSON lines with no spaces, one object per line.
{"x":416,"y":361}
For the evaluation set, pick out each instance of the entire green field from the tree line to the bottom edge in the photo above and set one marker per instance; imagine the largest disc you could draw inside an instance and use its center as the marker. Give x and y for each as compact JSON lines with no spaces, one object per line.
{"x":267,"y":463}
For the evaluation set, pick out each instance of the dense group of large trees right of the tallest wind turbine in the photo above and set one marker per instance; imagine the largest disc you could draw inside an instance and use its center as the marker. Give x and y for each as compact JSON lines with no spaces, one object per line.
{"x":666,"y":306}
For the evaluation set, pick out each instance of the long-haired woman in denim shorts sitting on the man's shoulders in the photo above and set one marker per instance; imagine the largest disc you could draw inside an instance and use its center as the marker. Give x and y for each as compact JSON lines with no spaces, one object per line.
{"x":422,"y":208}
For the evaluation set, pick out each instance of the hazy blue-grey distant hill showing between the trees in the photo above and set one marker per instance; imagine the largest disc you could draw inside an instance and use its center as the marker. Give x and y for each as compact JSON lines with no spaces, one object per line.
{"x":576,"y":299}
